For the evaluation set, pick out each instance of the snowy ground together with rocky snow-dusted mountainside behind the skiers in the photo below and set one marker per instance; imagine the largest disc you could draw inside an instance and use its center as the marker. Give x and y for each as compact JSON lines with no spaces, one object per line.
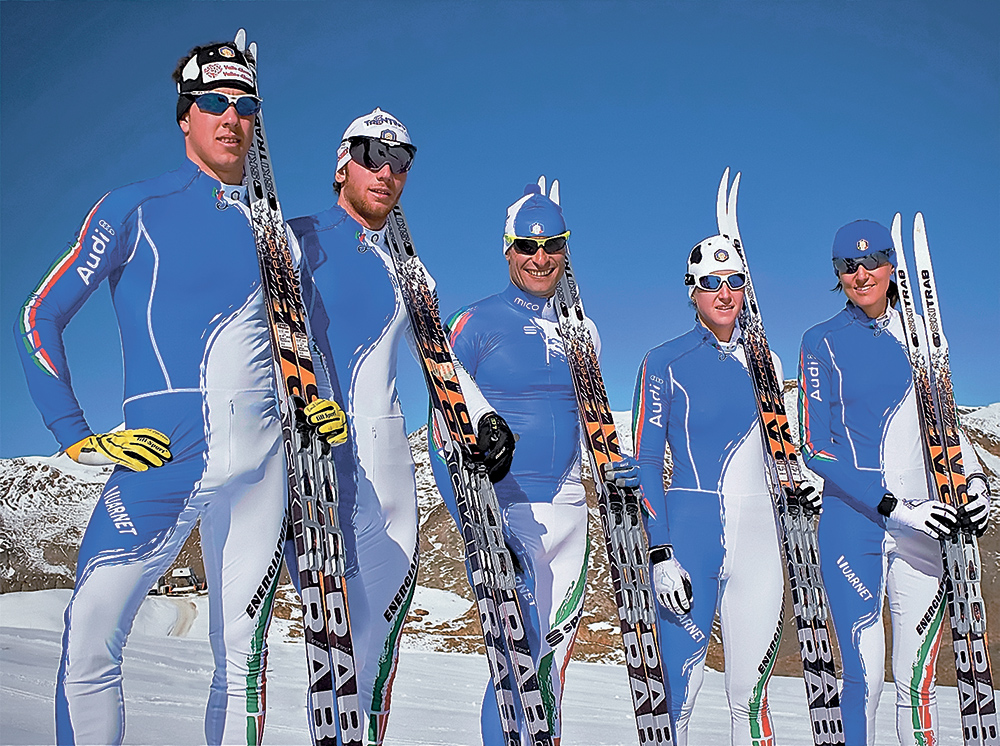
{"x":45,"y":503}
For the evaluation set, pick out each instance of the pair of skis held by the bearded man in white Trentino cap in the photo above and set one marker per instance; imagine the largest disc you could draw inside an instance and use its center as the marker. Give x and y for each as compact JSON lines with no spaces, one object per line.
{"x":486,"y":556}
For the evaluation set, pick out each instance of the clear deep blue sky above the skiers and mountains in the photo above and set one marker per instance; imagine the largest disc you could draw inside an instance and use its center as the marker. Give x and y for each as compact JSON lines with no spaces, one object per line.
{"x":833,"y":111}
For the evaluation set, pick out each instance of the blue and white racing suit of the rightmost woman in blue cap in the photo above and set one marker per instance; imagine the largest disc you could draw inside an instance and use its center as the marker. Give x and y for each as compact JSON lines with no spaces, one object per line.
{"x":860,"y":431}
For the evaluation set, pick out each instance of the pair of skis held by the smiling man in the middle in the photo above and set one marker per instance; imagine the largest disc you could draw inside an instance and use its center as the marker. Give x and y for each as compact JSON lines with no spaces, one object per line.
{"x":624,"y":534}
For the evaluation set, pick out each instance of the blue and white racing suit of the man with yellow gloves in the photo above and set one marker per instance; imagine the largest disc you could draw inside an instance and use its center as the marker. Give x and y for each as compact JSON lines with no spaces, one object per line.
{"x":179,"y":256}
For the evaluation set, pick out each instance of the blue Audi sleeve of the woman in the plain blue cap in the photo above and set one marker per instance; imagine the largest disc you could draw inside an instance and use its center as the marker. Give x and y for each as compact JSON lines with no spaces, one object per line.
{"x":819,"y":406}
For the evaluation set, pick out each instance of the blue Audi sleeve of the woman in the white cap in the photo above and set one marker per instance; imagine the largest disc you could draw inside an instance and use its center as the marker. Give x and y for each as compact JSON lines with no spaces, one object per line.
{"x":650,"y":415}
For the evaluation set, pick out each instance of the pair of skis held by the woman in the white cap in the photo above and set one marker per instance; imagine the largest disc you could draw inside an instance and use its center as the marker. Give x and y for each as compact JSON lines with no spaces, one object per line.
{"x":784,"y":475}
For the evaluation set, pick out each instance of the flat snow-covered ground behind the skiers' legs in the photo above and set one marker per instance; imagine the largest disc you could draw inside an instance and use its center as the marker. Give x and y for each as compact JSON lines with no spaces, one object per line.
{"x":435,"y":700}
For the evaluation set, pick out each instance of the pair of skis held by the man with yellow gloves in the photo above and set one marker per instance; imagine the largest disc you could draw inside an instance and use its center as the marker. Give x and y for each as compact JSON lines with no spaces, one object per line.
{"x":312,"y":480}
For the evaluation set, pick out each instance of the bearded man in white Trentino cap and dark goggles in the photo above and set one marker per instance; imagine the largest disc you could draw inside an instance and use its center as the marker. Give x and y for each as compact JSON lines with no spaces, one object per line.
{"x":358,"y":321}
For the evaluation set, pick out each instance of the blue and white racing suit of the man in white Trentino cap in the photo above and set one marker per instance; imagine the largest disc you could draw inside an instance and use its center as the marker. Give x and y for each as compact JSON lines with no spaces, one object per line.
{"x":358,"y":320}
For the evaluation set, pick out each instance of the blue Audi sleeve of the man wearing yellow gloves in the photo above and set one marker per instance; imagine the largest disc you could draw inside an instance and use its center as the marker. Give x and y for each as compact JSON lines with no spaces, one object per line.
{"x":97,"y":251}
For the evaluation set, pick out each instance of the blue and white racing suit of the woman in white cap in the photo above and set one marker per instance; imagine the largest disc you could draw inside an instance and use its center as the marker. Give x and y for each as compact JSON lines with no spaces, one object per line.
{"x":694,"y":402}
